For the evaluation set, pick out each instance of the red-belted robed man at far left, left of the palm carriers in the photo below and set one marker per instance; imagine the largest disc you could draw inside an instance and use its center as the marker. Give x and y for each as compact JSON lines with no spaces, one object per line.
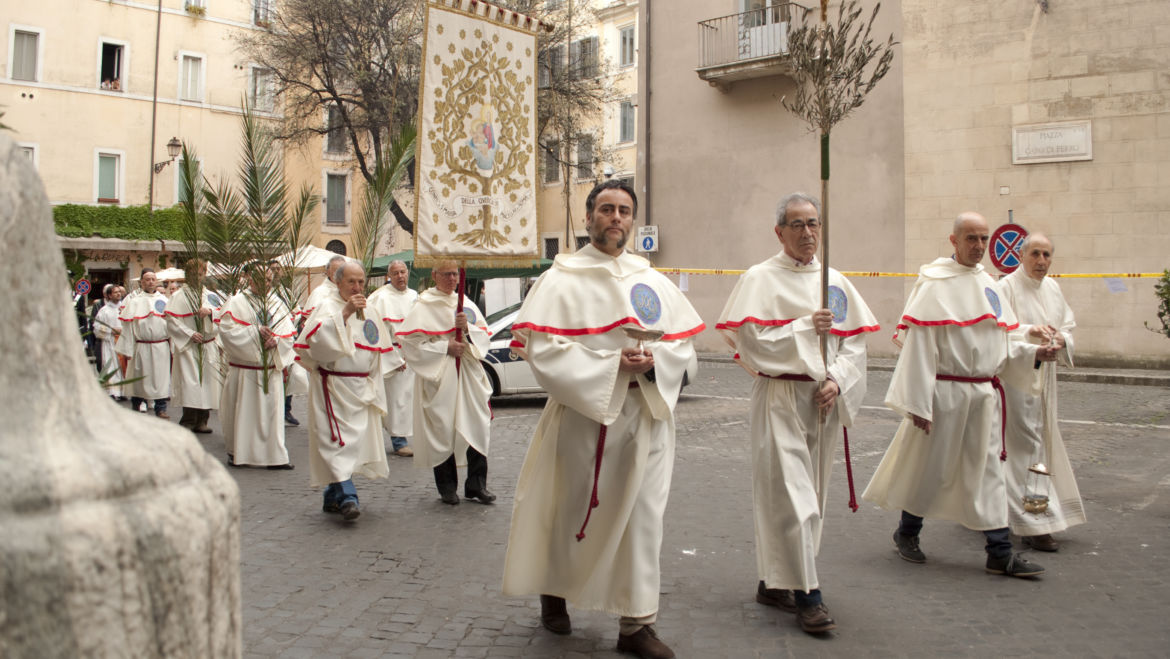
{"x":146,"y":341}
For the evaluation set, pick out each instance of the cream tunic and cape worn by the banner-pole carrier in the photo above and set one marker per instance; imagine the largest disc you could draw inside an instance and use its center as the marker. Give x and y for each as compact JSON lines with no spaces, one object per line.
{"x":451,"y":409}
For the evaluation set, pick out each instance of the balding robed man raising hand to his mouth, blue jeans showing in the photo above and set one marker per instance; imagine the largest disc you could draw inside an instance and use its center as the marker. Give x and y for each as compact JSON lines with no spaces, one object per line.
{"x":346,"y":352}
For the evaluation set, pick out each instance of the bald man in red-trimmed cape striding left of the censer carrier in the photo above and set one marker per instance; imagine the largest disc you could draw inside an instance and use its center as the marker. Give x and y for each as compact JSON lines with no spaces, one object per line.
{"x":946,"y":461}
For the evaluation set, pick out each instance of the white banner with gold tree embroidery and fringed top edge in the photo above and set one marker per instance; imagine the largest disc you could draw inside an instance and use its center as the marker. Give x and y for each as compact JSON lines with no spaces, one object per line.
{"x":477,"y":155}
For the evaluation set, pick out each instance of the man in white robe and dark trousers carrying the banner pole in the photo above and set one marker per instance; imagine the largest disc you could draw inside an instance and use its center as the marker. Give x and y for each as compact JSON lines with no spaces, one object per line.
{"x":452,"y":416}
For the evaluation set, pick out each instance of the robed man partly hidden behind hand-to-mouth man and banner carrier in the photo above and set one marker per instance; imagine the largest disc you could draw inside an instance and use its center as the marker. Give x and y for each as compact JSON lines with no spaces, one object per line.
{"x":393,"y":303}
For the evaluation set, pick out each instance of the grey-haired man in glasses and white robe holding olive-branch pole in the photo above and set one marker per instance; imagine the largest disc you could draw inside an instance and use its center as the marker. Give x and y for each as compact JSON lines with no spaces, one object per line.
{"x":799,"y":409}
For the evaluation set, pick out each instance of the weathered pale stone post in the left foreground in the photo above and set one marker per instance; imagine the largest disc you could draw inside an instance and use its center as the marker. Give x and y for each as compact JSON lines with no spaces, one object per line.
{"x":120,"y":536}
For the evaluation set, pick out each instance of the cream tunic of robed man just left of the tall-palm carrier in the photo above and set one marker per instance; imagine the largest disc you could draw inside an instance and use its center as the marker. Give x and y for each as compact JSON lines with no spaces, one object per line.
{"x":194,"y":386}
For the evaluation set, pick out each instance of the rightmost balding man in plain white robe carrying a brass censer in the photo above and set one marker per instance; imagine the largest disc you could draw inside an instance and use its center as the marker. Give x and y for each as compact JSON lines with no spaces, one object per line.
{"x":1034,"y":435}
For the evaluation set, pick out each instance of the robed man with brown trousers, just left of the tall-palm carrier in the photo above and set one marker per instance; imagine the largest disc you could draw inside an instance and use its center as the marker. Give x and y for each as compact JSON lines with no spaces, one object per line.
{"x":195,"y":367}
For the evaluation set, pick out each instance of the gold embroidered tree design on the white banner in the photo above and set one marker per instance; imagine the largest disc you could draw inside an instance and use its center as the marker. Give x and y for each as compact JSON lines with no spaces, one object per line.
{"x":486,"y":84}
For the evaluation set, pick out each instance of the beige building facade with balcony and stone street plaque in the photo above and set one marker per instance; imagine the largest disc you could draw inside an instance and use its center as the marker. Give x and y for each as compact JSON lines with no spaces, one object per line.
{"x":1083,"y":88}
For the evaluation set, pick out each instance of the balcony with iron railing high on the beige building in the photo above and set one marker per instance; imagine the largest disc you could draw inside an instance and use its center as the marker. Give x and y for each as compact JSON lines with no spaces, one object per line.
{"x":748,"y":45}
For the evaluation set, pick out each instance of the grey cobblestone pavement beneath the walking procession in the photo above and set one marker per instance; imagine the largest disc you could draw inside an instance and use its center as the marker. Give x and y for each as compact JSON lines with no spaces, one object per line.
{"x":414,"y":578}
